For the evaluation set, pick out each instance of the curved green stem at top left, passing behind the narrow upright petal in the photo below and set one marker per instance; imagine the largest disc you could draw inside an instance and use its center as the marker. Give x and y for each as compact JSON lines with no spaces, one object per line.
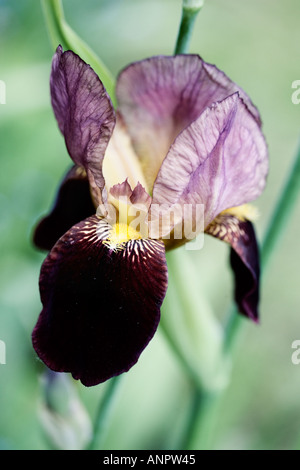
{"x":61,"y":33}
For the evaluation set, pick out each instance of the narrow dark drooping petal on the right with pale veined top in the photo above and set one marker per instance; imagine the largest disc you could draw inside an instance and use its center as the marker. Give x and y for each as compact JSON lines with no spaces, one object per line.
{"x":244,"y":259}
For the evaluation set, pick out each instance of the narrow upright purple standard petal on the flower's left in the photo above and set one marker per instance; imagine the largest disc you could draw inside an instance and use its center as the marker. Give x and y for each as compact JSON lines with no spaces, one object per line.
{"x":83,"y":111}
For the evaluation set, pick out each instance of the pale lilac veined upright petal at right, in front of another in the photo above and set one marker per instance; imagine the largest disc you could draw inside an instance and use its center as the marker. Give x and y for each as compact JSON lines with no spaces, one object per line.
{"x":220,"y":161}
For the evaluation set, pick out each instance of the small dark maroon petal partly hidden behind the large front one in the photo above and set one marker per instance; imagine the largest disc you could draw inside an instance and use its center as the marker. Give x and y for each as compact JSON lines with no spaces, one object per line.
{"x":73,"y":203}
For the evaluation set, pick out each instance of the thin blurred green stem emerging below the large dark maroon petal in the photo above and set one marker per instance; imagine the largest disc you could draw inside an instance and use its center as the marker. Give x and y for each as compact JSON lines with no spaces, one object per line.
{"x":104,"y":413}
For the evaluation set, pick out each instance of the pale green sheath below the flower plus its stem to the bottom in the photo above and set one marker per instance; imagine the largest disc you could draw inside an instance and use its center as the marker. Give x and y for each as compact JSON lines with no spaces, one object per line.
{"x":189,"y":314}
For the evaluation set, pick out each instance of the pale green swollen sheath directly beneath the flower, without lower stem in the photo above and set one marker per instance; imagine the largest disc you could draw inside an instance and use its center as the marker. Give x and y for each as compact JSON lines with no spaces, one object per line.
{"x":192,"y":324}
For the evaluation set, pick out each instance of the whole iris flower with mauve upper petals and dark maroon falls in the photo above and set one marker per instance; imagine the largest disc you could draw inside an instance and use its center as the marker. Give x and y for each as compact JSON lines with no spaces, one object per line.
{"x":183,"y":134}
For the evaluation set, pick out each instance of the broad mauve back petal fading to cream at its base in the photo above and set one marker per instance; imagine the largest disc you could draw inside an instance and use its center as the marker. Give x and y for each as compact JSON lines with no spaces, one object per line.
{"x":160,"y":96}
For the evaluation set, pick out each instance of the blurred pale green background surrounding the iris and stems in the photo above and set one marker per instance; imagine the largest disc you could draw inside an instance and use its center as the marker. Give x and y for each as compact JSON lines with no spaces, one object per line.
{"x":257,"y":44}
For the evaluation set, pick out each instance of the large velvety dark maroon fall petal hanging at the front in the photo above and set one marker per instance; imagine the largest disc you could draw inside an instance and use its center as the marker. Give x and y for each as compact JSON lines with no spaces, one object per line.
{"x":101,"y":307}
